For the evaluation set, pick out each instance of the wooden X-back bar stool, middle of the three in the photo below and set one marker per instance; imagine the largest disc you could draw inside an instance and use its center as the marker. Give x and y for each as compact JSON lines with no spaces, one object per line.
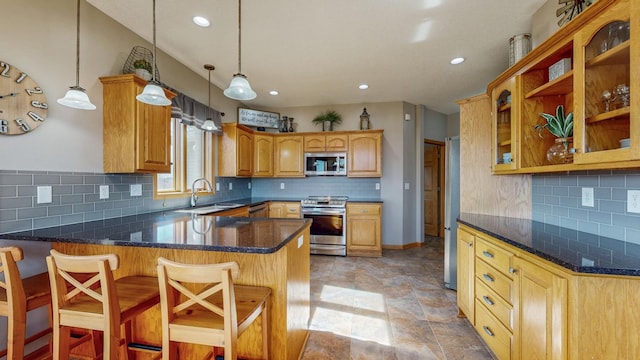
{"x":99,"y":303}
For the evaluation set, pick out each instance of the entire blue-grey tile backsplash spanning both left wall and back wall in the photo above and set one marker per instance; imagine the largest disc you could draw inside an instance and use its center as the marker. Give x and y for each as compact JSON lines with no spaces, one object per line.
{"x":75,"y":196}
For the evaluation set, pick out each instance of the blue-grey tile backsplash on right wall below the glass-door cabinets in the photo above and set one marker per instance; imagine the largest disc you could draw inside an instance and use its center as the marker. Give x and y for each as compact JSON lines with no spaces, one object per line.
{"x":557,"y":200}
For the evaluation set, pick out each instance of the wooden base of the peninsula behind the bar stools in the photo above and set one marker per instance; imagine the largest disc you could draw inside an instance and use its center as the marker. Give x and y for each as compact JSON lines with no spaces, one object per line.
{"x":286,"y":272}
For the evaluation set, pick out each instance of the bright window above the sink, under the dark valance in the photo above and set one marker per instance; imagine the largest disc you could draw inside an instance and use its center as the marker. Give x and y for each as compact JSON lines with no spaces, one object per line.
{"x":191,"y":159}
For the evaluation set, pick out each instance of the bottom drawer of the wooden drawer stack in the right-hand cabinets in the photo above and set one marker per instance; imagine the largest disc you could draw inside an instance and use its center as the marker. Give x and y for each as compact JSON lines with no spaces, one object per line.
{"x":497,"y":337}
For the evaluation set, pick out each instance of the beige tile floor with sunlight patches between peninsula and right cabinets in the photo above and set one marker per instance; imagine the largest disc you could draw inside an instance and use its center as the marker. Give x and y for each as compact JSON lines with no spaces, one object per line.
{"x":389,"y":308}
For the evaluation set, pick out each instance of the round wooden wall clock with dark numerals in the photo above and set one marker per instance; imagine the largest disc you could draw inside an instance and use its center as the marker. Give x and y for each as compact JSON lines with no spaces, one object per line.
{"x":23,"y":104}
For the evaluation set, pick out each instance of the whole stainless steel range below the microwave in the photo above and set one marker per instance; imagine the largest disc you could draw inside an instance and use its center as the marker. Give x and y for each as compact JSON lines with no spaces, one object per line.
{"x":328,"y":230}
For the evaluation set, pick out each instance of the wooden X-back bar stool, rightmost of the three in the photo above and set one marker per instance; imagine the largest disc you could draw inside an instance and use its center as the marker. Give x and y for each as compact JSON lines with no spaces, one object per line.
{"x":215,"y":314}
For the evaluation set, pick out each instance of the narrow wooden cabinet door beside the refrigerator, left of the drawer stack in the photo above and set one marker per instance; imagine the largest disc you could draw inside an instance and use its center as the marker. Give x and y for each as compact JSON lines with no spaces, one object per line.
{"x":465,"y":273}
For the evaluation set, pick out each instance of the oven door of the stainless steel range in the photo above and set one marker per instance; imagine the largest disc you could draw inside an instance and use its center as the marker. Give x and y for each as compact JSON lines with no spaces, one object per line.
{"x":328,"y":226}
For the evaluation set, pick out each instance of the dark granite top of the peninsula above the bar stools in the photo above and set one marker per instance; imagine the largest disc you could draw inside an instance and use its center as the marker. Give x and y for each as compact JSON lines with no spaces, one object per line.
{"x":170,"y":229}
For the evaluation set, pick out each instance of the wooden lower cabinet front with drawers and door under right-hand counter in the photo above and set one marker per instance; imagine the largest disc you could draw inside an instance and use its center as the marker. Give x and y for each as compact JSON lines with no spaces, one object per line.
{"x":521,"y":301}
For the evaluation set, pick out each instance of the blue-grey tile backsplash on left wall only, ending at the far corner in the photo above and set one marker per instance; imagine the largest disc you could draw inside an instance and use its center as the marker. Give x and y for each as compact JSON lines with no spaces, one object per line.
{"x":75,"y":197}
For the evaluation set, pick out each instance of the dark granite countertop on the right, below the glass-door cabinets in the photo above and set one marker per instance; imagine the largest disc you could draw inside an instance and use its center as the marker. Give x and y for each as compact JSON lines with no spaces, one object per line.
{"x":575,"y":250}
